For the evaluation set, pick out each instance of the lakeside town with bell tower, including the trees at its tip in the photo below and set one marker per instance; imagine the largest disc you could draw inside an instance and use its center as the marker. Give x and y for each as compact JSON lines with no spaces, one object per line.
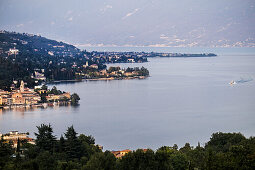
{"x":40,"y":96}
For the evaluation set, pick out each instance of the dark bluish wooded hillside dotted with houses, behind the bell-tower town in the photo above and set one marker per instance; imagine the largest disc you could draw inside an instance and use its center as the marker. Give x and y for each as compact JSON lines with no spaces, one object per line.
{"x":23,"y":54}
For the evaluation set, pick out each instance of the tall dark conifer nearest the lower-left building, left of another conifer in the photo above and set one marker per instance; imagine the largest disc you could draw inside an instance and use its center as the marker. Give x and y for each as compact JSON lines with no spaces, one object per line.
{"x":45,"y":139}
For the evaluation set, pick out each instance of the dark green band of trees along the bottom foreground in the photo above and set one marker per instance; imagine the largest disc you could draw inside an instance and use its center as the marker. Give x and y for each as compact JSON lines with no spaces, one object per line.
{"x":73,"y":151}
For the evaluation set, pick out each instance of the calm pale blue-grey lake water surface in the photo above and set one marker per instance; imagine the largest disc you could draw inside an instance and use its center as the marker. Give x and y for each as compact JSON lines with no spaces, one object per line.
{"x":184,"y":100}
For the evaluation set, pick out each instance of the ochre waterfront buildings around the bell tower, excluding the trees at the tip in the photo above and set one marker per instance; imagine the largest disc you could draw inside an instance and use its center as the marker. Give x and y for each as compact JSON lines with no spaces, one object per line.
{"x":27,"y":97}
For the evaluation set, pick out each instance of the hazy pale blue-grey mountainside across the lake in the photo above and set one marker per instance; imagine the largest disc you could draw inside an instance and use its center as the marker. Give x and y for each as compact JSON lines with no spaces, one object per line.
{"x":176,"y":23}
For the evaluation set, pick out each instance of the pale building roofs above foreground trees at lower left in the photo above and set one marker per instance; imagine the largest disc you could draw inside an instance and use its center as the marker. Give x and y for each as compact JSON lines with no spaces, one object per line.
{"x":13,"y":137}
